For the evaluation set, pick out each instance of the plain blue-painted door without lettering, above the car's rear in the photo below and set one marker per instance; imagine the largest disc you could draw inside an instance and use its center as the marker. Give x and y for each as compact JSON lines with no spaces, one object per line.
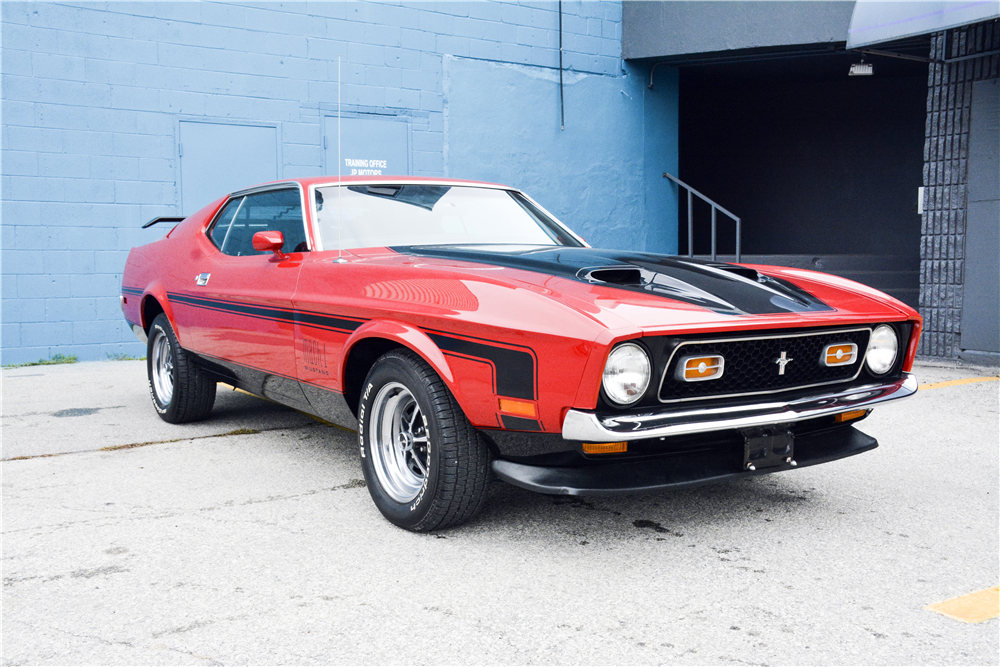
{"x":218,"y":158}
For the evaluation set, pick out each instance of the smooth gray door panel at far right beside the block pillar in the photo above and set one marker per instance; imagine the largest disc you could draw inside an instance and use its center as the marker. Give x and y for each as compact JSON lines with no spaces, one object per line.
{"x":981,"y":301}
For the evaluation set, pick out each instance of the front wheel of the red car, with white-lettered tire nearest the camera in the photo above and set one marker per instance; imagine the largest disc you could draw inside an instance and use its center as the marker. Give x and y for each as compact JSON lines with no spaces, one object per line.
{"x":425,"y":465}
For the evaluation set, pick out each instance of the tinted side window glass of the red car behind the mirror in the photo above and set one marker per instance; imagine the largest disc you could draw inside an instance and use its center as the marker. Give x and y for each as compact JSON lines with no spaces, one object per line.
{"x":242,"y":217}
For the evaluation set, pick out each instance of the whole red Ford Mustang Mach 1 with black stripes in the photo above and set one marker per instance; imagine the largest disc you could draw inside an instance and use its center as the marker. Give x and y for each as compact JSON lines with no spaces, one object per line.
{"x":467,"y":334}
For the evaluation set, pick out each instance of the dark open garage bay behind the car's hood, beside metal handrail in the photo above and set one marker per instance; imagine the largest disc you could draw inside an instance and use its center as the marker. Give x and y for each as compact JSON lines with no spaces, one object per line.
{"x":823,"y":168}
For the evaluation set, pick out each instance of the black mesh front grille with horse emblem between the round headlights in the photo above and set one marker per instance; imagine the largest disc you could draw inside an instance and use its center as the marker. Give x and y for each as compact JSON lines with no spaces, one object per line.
{"x":751,"y":364}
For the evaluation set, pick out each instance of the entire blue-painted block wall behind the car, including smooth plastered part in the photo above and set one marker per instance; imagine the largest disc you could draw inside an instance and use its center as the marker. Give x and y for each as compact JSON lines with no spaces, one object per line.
{"x":93,"y":93}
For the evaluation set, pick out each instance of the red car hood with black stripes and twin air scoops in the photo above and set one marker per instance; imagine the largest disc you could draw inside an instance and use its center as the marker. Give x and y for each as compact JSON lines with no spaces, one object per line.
{"x":653,"y":292}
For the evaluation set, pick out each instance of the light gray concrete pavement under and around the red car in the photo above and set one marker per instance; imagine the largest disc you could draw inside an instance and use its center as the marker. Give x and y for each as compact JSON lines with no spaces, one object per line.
{"x":264,"y":547}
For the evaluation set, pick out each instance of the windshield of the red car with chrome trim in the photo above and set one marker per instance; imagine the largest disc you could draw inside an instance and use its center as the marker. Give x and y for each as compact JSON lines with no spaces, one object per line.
{"x":386,"y":215}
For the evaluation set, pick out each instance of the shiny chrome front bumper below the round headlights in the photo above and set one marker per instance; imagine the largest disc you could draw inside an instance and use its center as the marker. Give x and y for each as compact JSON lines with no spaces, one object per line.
{"x":589,"y":427}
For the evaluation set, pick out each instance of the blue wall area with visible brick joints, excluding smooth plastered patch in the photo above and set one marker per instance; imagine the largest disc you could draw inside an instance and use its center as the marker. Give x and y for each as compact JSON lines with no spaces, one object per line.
{"x":92,"y":92}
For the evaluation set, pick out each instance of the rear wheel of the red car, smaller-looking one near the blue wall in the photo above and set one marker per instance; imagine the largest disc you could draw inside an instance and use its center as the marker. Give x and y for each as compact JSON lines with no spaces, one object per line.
{"x":181,"y":391}
